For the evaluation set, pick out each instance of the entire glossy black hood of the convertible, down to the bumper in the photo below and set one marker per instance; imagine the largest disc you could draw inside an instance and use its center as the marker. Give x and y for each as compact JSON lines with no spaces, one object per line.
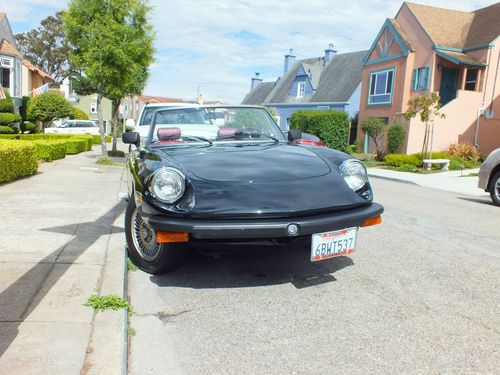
{"x":257,"y":181}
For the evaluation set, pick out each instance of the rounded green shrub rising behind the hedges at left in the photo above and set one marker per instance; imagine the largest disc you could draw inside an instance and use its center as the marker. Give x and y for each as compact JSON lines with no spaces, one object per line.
{"x":48,"y":107}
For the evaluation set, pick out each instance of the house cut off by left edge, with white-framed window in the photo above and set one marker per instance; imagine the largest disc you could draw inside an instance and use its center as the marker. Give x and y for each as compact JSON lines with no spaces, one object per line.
{"x":10,"y":62}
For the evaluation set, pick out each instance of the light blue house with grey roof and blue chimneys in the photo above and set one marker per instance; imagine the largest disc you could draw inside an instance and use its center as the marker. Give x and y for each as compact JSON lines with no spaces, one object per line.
{"x":332,"y":81}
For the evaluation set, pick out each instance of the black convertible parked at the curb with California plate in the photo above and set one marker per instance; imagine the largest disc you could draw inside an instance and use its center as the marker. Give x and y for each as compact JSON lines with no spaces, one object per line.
{"x":222,"y":176}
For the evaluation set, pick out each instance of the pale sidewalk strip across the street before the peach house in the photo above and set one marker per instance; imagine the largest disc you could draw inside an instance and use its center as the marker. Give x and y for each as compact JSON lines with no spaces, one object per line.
{"x":453,"y":181}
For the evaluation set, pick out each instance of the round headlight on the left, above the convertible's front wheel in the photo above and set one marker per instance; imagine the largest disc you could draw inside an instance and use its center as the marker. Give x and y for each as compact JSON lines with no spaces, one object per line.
{"x":167,"y":185}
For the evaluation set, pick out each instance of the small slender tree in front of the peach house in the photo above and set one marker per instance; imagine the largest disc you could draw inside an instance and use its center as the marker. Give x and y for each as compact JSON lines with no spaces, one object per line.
{"x":428,"y":107}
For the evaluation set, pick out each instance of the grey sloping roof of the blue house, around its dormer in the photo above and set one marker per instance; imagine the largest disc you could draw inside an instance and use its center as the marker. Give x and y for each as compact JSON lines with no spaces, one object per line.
{"x":334,"y":81}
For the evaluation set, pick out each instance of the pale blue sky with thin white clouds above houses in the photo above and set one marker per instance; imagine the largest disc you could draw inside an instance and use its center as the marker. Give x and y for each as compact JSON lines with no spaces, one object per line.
{"x":214,"y":47}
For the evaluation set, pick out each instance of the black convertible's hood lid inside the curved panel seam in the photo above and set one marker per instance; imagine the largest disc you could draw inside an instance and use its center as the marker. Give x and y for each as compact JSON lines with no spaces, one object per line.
{"x":254,"y":163}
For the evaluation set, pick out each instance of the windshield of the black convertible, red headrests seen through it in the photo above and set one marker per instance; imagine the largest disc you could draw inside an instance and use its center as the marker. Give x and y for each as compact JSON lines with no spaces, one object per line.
{"x":213,"y":124}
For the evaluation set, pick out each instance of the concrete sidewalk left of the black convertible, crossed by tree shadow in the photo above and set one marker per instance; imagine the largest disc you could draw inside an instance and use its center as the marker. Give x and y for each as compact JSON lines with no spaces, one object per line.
{"x":62,"y":241}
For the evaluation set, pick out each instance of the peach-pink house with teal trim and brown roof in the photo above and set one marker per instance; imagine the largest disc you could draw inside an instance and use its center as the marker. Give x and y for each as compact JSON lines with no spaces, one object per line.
{"x":426,"y":49}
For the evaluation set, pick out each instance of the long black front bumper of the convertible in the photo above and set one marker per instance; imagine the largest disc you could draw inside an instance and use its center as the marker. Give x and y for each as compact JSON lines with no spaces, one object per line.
{"x":265,"y":228}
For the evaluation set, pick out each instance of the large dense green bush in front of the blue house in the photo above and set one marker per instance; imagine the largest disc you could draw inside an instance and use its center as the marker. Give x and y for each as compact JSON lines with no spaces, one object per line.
{"x":332,"y":127}
